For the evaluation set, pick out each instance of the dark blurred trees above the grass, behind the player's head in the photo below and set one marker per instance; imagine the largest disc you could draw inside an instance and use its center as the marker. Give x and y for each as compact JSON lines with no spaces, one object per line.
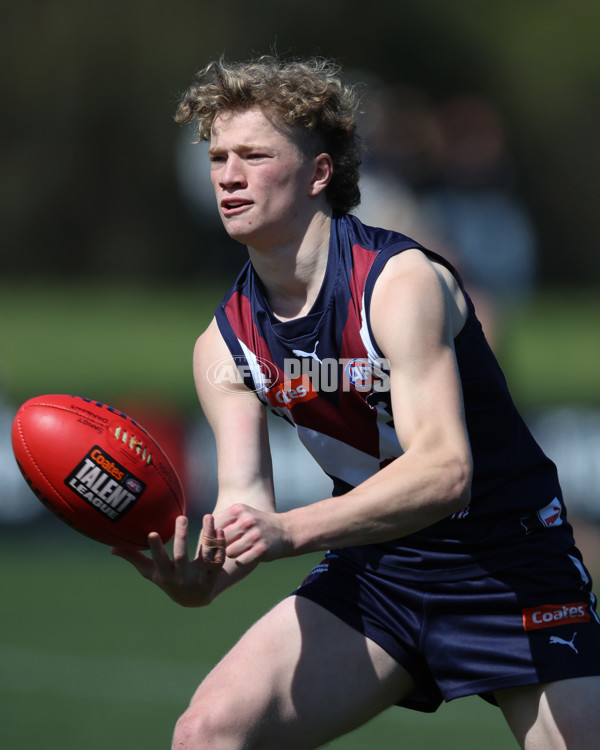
{"x":87,"y":147}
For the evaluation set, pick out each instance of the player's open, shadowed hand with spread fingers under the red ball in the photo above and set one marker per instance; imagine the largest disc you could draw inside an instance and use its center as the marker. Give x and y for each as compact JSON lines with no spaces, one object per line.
{"x":188,"y":582}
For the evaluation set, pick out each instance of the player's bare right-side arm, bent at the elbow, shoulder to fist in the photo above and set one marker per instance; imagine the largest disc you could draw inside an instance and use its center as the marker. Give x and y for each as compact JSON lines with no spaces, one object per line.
{"x":415,"y":313}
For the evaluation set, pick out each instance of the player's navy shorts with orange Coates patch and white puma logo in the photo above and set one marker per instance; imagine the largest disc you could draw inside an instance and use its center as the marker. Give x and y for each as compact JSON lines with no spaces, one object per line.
{"x":516,"y":627}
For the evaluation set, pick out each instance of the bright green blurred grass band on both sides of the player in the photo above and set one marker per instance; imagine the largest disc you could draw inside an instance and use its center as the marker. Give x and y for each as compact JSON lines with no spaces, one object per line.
{"x":112,"y":341}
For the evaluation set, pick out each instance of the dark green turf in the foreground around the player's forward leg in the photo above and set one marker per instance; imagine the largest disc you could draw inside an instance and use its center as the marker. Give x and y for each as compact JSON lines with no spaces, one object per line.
{"x":93,"y":656}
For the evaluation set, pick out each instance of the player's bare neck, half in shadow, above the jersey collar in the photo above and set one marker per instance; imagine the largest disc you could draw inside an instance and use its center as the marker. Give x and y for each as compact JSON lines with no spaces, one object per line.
{"x":292,"y":274}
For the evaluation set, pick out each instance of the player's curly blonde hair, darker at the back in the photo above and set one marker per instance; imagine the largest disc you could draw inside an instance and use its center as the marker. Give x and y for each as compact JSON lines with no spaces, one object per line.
{"x":307,"y":95}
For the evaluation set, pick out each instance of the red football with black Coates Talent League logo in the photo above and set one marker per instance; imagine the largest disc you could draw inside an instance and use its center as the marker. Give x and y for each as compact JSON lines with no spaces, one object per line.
{"x":97,"y":469}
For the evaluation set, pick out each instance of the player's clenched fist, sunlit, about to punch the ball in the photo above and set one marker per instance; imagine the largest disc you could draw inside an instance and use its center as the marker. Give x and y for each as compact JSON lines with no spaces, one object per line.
{"x":253,"y":535}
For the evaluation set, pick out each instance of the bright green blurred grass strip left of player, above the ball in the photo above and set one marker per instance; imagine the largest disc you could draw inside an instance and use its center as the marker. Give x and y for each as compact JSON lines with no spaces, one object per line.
{"x":100,"y":340}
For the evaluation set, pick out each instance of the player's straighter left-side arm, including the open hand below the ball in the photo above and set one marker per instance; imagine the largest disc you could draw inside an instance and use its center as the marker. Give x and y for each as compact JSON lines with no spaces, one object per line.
{"x":238,"y":421}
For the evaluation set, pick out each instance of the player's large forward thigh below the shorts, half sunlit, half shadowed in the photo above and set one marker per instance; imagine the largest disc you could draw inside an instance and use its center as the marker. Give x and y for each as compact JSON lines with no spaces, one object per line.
{"x":299,"y":677}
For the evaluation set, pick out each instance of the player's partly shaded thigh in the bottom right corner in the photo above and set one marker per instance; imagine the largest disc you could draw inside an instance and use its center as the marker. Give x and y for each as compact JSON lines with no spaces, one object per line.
{"x":556,"y":715}
